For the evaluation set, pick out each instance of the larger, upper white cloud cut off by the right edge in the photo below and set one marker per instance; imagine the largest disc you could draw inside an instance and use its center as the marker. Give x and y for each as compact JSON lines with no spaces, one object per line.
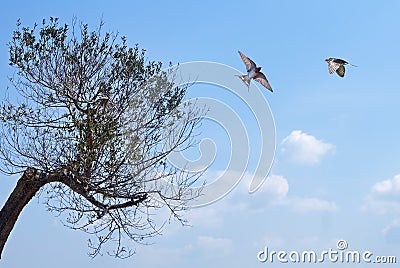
{"x":384,"y":196}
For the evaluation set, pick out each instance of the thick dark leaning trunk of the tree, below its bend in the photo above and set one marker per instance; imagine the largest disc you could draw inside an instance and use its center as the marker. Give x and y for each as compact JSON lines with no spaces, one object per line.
{"x":27,"y":187}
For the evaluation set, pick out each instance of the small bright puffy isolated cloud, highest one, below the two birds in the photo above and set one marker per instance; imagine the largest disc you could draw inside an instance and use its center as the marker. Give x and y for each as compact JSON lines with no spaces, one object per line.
{"x":304,"y":148}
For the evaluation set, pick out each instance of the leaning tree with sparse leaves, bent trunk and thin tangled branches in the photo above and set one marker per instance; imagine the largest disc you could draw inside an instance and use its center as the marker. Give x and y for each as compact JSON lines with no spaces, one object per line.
{"x":89,"y":124}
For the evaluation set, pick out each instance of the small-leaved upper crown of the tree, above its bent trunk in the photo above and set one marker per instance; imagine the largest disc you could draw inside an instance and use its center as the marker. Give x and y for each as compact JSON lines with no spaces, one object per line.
{"x":80,"y":87}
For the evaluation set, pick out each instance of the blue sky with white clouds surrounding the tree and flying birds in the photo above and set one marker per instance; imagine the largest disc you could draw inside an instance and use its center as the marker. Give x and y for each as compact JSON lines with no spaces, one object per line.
{"x":337,"y":165}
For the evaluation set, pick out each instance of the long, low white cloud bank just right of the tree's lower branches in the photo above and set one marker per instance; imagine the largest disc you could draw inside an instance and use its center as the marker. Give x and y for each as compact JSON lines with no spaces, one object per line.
{"x":274,"y":192}
